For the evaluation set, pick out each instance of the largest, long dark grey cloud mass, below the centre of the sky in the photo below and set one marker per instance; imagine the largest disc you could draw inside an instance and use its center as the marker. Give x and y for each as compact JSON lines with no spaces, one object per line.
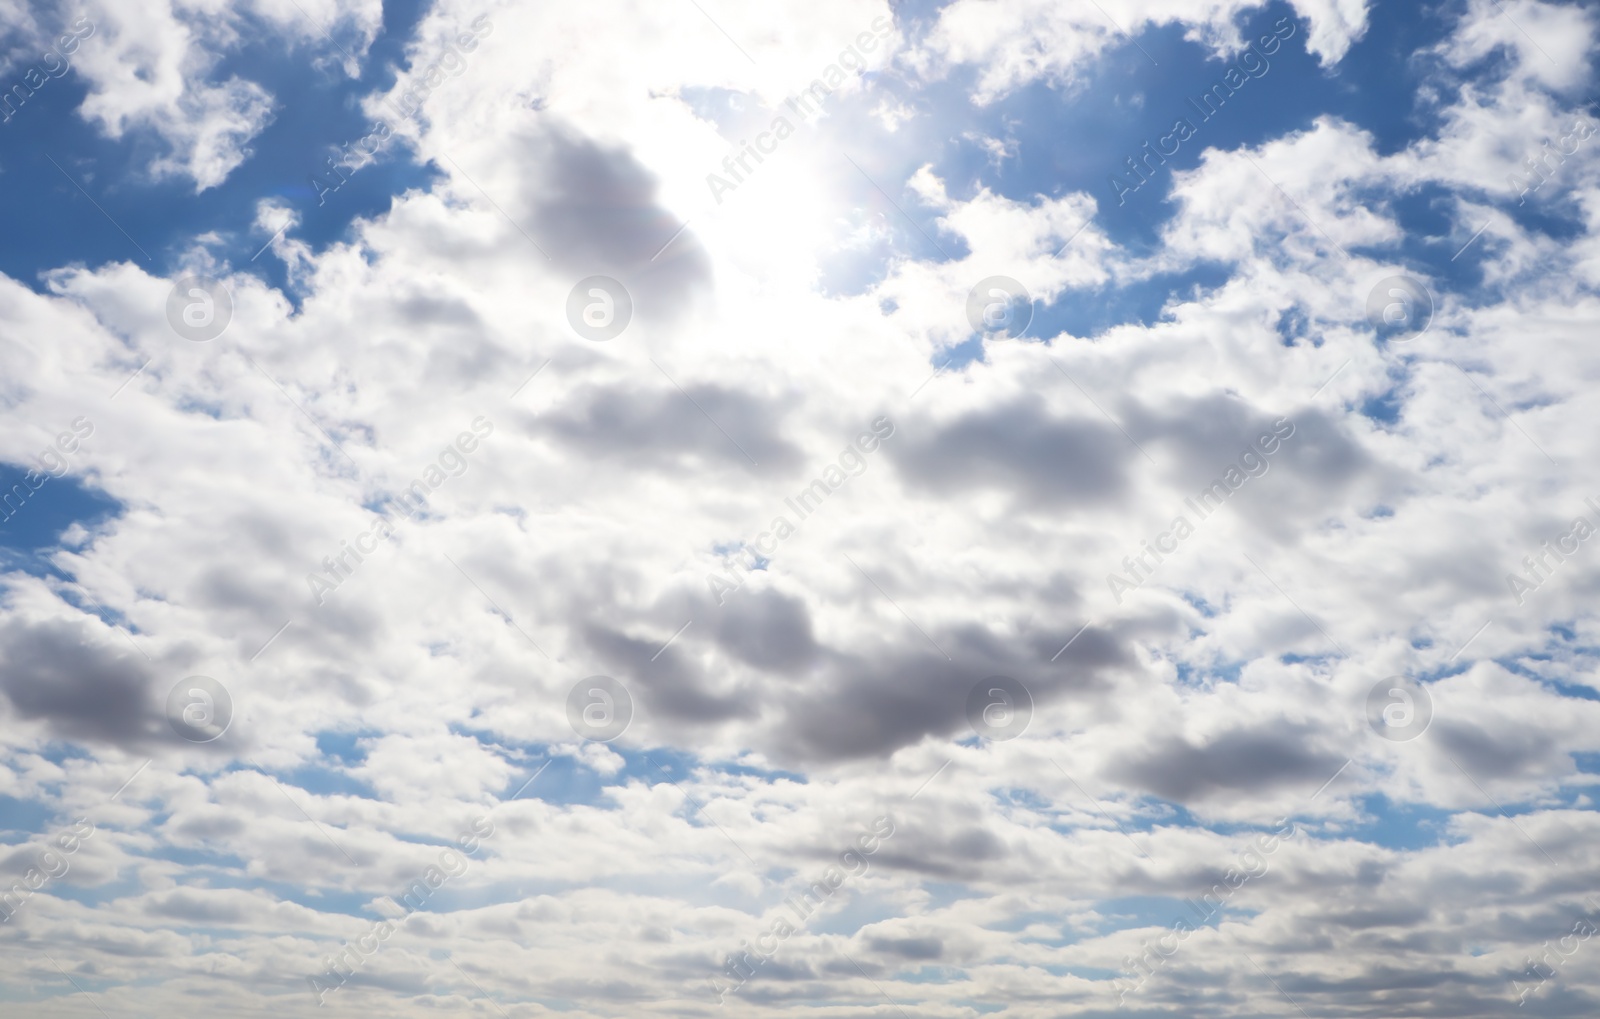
{"x":831,"y":705}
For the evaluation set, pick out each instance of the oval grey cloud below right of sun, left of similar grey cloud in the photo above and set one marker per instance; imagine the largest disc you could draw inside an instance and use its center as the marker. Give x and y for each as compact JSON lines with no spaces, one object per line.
{"x":1020,"y":449}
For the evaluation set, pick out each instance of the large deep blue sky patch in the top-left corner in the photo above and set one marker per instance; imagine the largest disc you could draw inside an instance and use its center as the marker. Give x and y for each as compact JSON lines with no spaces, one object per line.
{"x":316,"y":111}
